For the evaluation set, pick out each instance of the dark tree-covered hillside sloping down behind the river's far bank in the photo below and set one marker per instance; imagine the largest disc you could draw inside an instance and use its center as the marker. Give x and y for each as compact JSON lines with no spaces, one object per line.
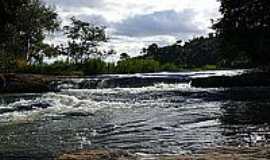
{"x":197,"y":52}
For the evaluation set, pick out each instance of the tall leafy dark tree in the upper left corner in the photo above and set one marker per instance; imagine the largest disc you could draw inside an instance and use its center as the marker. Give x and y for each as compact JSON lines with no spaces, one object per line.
{"x":23,"y":24}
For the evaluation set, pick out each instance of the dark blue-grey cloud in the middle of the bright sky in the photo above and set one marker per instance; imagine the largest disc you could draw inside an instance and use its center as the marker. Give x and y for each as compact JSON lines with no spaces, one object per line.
{"x":167,"y":22}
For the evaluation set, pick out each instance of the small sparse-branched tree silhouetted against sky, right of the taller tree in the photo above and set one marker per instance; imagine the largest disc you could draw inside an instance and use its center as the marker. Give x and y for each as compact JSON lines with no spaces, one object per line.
{"x":83,"y":39}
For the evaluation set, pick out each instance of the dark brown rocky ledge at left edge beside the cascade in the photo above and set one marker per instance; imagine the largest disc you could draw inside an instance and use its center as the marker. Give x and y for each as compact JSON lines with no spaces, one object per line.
{"x":24,"y":83}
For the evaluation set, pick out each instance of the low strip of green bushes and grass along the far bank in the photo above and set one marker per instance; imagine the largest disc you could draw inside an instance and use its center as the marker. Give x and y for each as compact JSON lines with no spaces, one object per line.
{"x":98,"y":66}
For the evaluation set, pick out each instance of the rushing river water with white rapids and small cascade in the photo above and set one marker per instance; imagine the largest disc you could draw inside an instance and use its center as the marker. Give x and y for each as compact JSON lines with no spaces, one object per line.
{"x":142,"y":113}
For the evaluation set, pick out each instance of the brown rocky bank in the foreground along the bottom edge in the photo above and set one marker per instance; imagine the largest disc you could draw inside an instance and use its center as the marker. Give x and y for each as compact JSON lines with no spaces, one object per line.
{"x":230,"y":153}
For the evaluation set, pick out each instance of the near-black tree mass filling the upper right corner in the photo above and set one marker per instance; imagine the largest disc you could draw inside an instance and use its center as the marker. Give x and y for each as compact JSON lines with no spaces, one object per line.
{"x":245,"y":29}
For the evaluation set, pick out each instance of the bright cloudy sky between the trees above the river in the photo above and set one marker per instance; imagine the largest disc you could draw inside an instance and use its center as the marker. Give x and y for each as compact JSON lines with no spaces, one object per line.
{"x":134,"y":24}
